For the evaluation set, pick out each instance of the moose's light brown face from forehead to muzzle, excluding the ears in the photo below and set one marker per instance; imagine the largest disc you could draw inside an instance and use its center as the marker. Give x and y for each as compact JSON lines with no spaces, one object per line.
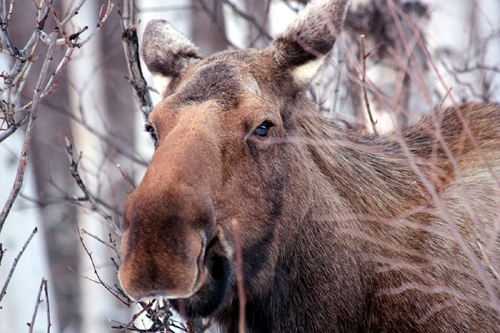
{"x":216,"y":138}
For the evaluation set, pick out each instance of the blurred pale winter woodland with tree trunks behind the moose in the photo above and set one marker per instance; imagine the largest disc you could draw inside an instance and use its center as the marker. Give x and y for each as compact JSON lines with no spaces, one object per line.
{"x":415,"y":56}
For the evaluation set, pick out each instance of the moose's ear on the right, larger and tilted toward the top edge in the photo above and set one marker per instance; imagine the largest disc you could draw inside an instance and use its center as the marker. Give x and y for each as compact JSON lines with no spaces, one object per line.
{"x":303,"y":47}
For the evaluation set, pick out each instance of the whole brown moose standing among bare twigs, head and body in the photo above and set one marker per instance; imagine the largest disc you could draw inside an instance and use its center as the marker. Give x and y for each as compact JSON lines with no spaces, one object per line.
{"x":337,"y":231}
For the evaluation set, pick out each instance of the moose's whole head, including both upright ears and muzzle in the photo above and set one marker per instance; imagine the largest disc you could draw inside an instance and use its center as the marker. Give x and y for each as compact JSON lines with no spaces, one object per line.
{"x":223,"y":154}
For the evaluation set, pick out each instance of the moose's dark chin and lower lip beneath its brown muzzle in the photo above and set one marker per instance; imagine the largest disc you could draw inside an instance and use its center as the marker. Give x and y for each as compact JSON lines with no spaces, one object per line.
{"x":213,"y":292}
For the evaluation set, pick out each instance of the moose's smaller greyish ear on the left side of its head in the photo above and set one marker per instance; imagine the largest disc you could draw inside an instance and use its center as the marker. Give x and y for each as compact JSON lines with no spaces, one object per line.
{"x":166,"y":51}
